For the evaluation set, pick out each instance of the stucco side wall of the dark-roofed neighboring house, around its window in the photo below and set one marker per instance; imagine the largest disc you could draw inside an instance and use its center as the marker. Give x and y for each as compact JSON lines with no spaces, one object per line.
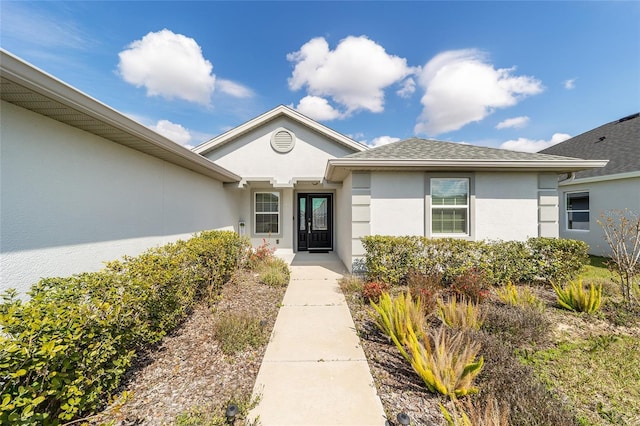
{"x":603,"y":196}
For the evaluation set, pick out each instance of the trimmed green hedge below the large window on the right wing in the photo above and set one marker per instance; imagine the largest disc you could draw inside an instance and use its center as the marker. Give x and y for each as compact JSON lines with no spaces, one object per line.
{"x":537,"y":260}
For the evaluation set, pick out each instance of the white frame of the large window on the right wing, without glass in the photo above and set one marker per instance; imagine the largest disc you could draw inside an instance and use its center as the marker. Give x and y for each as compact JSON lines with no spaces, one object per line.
{"x":469,"y":207}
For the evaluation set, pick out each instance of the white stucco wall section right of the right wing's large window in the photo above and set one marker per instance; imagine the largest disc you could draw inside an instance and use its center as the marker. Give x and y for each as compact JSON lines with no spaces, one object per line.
{"x":506,"y":206}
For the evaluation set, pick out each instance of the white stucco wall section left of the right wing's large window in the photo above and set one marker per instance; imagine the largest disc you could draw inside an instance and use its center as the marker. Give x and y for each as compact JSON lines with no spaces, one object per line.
{"x":397,"y":203}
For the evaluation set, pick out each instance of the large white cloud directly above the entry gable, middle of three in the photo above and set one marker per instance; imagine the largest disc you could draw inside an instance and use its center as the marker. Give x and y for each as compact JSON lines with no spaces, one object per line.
{"x":353,"y":76}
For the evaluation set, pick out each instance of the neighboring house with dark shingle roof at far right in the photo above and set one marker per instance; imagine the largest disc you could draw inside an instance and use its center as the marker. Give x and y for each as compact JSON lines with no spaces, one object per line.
{"x":587,"y":194}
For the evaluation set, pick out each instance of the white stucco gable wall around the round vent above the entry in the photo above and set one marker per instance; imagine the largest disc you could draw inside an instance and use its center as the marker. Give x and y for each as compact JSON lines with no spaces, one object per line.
{"x":251,"y":155}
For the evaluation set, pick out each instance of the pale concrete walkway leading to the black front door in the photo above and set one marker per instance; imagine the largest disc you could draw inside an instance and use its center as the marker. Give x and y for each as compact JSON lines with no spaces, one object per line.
{"x":314,"y":371}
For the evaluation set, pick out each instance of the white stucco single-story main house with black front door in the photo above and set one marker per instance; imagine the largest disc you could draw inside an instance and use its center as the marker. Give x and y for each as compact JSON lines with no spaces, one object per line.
{"x":82,"y":184}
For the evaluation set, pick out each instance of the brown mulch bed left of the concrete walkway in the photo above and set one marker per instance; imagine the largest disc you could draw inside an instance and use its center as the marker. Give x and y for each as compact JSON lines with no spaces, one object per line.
{"x":188,"y":371}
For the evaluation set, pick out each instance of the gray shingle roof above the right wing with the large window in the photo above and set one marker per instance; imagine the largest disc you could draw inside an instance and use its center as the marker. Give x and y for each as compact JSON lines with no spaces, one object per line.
{"x":426,"y":149}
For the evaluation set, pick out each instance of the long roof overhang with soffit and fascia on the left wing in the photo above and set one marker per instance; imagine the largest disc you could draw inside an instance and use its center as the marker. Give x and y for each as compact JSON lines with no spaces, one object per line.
{"x":28,"y":87}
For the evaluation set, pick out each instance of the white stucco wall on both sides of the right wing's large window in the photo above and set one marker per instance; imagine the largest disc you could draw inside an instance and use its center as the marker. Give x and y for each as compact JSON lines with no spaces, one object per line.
{"x":505,"y":205}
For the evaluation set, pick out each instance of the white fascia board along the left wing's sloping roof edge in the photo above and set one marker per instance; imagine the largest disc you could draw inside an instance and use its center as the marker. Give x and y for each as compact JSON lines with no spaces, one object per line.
{"x":14,"y":69}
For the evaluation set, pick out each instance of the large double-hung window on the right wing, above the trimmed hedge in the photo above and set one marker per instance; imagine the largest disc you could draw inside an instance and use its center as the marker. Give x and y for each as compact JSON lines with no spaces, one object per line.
{"x":450,"y":206}
